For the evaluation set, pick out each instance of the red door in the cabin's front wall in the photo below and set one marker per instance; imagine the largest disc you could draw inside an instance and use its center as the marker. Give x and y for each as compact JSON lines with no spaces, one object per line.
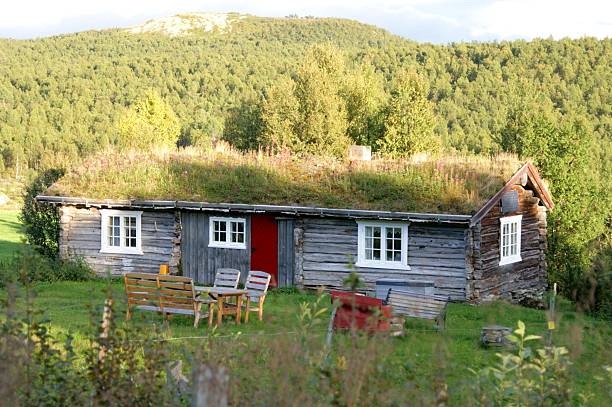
{"x":264,"y":245}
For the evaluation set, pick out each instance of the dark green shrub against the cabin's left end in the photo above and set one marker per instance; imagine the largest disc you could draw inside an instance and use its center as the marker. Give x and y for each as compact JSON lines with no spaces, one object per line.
{"x":41,"y":220}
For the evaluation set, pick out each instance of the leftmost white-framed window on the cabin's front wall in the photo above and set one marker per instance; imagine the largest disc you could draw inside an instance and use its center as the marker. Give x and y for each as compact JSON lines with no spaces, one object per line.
{"x":121,"y":232}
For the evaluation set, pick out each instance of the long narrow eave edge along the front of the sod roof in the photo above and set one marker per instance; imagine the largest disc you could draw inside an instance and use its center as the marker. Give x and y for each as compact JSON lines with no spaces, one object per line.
{"x":281,"y":209}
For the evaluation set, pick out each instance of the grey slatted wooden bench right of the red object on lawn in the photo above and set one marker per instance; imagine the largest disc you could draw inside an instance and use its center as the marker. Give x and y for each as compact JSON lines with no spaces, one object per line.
{"x":416,"y":305}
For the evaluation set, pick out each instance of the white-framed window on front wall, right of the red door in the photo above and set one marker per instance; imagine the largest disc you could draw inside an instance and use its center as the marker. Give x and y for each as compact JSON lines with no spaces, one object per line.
{"x":382,"y":245}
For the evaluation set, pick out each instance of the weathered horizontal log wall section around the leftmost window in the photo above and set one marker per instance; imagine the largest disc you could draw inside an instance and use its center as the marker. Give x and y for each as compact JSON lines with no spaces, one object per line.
{"x":80,"y":230}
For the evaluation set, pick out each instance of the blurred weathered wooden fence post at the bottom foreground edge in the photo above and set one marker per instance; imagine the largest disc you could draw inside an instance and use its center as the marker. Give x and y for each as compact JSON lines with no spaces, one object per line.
{"x":210,"y":386}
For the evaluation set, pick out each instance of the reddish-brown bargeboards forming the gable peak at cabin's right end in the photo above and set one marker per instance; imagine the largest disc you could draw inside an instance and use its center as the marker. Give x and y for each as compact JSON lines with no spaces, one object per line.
{"x":528,"y":175}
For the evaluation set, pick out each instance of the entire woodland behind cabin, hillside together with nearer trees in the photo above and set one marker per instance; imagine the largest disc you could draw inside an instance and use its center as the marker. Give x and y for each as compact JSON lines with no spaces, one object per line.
{"x":314,"y":85}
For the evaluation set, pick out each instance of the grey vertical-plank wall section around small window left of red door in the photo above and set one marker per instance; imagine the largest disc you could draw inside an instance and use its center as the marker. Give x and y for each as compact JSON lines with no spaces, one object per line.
{"x":201,"y":262}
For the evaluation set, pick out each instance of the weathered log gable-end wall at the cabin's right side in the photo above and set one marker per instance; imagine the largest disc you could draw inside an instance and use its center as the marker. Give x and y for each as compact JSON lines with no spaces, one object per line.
{"x":521,"y":282}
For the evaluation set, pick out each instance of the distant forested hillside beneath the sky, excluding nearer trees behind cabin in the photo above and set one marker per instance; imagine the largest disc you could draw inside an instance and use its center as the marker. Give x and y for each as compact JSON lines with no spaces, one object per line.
{"x":61,"y":96}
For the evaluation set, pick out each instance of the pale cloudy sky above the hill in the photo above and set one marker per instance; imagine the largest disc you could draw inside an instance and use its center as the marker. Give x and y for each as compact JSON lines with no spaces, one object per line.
{"x":437,"y":21}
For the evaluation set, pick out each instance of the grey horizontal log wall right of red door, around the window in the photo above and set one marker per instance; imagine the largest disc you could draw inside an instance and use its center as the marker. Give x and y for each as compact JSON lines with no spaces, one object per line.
{"x":325,"y":249}
